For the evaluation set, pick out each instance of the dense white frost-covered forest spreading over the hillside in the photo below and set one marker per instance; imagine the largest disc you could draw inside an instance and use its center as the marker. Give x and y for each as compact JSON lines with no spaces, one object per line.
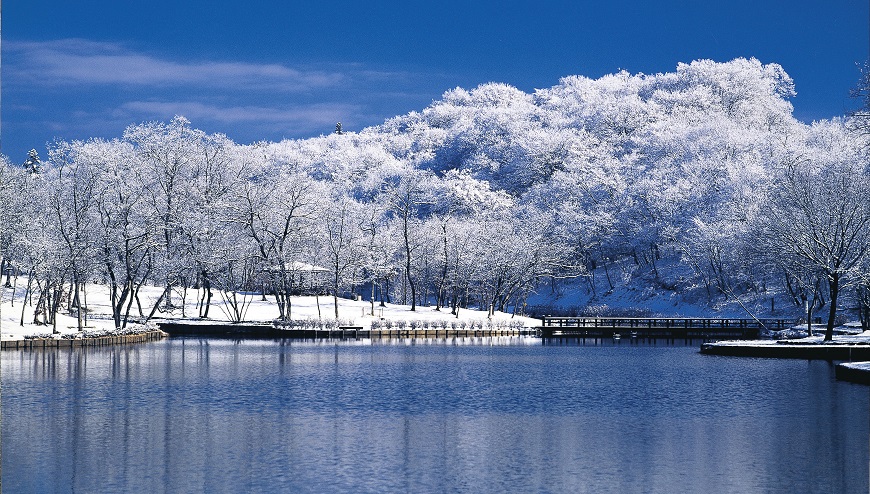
{"x":698,"y":182}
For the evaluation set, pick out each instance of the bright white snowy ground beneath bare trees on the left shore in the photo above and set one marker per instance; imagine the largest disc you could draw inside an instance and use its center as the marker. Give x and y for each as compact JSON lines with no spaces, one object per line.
{"x":307,"y":307}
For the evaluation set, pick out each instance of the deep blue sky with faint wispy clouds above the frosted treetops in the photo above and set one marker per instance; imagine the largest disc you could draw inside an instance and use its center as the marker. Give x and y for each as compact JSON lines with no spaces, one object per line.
{"x":268,"y":70}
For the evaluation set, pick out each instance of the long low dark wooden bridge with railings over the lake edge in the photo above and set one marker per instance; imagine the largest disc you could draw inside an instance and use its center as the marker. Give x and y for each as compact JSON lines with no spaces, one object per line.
{"x":659,"y":327}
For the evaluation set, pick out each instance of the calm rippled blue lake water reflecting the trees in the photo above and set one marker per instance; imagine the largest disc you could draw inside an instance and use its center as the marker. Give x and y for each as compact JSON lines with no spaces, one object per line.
{"x":465,"y":415}
